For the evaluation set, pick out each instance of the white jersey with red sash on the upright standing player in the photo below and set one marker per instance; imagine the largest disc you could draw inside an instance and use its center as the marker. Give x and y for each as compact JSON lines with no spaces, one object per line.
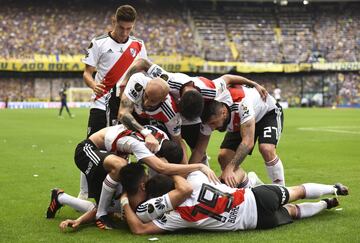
{"x":111,"y":60}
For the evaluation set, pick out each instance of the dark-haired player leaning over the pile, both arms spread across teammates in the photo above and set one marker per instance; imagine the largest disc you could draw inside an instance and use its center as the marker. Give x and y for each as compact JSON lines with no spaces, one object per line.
{"x":189,"y":94}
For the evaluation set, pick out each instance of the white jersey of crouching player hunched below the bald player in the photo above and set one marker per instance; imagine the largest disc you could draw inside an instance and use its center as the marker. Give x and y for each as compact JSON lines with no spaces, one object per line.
{"x":121,"y":140}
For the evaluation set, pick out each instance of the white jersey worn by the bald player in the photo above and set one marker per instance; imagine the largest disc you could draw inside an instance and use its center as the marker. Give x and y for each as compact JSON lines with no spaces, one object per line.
{"x":167,"y":112}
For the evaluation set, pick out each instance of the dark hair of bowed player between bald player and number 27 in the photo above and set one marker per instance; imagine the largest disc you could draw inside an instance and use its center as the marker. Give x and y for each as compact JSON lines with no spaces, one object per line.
{"x":191,"y":104}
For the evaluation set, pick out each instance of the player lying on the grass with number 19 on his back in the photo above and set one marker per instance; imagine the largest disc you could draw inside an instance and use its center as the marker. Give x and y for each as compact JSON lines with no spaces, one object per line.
{"x":218,"y":207}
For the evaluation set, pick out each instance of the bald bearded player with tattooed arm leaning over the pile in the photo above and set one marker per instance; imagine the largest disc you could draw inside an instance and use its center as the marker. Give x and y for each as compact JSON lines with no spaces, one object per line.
{"x":141,"y":95}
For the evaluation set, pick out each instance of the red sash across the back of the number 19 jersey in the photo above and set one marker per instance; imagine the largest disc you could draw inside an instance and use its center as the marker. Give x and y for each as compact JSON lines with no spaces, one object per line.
{"x":191,"y":214}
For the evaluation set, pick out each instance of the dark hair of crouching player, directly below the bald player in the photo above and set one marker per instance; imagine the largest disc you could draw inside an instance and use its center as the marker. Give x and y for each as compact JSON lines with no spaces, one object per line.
{"x":171,"y":151}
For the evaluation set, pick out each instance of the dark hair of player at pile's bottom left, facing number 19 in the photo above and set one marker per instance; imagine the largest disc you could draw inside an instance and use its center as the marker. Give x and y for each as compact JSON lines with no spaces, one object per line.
{"x":130,"y":177}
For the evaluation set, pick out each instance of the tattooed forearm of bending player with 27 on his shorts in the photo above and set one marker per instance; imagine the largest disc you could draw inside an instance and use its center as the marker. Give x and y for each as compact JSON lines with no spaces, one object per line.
{"x":247,"y":131}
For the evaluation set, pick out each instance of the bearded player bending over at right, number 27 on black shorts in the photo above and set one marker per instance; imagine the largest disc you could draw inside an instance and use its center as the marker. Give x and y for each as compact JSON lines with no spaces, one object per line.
{"x":246,"y":118}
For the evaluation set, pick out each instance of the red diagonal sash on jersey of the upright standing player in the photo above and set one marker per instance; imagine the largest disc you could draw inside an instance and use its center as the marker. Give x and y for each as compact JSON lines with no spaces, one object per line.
{"x":120,"y":67}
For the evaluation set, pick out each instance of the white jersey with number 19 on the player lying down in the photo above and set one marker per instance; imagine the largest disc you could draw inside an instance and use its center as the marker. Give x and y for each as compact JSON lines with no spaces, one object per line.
{"x":215,"y":207}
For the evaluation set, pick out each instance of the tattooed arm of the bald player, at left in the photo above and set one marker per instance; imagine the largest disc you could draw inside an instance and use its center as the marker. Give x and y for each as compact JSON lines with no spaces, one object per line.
{"x":125,"y":114}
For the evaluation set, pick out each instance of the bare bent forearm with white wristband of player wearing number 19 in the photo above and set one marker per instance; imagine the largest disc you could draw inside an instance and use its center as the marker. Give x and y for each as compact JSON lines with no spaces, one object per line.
{"x":136,"y":226}
